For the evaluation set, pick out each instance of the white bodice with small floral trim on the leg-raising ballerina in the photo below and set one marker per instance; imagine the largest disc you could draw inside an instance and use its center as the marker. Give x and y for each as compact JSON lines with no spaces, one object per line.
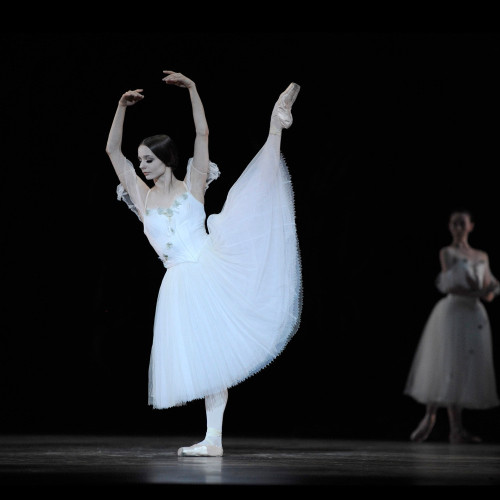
{"x":177,"y":233}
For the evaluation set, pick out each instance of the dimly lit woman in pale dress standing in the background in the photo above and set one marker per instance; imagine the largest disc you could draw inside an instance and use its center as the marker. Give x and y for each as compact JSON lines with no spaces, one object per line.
{"x":453,"y":364}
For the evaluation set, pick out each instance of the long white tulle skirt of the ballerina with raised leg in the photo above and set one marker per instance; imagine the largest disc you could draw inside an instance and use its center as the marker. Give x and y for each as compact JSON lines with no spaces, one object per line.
{"x":223,"y":318}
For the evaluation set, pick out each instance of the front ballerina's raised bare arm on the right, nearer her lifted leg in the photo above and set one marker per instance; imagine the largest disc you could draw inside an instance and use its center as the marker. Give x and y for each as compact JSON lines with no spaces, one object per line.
{"x":199,"y":168}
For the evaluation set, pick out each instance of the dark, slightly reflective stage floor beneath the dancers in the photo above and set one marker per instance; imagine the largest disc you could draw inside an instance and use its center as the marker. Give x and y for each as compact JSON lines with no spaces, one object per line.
{"x":130,"y":461}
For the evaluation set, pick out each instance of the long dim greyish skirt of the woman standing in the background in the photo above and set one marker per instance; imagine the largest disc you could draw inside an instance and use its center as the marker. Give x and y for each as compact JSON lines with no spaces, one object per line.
{"x":453,"y":363}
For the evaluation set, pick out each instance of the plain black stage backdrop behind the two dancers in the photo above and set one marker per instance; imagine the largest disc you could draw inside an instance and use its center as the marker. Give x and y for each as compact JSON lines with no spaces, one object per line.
{"x":391,"y":131}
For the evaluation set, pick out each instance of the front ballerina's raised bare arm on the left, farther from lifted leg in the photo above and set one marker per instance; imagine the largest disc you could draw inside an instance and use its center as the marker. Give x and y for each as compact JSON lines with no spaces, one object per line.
{"x":123,"y":169}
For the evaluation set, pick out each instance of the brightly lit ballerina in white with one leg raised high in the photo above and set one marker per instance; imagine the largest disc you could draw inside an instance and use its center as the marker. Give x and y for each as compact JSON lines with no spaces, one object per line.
{"x":231,"y":296}
